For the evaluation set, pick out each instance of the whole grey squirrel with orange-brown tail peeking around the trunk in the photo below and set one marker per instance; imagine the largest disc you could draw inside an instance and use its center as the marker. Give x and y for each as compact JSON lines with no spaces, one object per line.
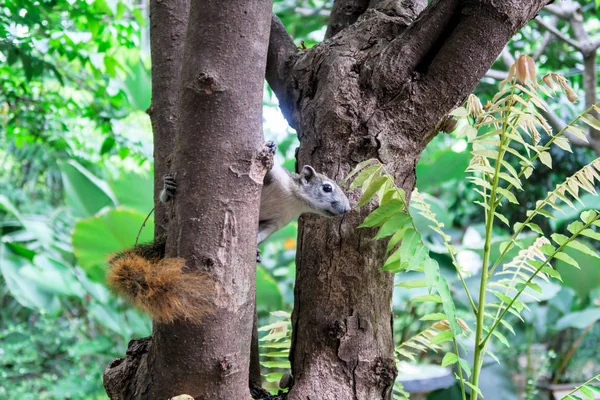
{"x":164,"y":289}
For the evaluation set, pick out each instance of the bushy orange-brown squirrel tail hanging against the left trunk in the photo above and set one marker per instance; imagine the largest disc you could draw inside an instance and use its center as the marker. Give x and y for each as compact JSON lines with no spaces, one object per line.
{"x":160,"y":287}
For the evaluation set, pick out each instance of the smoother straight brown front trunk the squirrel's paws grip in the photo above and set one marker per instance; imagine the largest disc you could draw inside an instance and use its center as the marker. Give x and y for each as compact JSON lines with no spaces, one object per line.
{"x":217,"y":163}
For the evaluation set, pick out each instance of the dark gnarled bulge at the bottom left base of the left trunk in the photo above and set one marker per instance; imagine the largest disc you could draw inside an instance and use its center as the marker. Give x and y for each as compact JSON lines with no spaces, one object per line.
{"x":120,"y":374}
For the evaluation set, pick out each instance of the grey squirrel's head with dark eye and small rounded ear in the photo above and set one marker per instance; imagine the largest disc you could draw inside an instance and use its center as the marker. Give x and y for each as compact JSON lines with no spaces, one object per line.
{"x":321,"y":194}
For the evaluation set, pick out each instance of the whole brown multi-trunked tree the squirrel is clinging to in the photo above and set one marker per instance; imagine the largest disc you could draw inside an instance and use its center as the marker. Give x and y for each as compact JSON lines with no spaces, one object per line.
{"x":379,"y":86}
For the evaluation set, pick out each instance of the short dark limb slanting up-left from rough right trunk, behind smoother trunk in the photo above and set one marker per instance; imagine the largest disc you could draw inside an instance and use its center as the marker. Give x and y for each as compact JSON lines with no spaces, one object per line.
{"x":279,"y":58}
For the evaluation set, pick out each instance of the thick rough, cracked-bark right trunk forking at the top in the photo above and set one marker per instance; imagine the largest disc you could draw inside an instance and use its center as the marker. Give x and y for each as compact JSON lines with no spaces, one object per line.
{"x":377,"y":88}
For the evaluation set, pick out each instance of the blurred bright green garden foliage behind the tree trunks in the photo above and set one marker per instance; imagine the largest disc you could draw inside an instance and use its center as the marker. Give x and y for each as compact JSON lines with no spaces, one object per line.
{"x":75,"y":186}
